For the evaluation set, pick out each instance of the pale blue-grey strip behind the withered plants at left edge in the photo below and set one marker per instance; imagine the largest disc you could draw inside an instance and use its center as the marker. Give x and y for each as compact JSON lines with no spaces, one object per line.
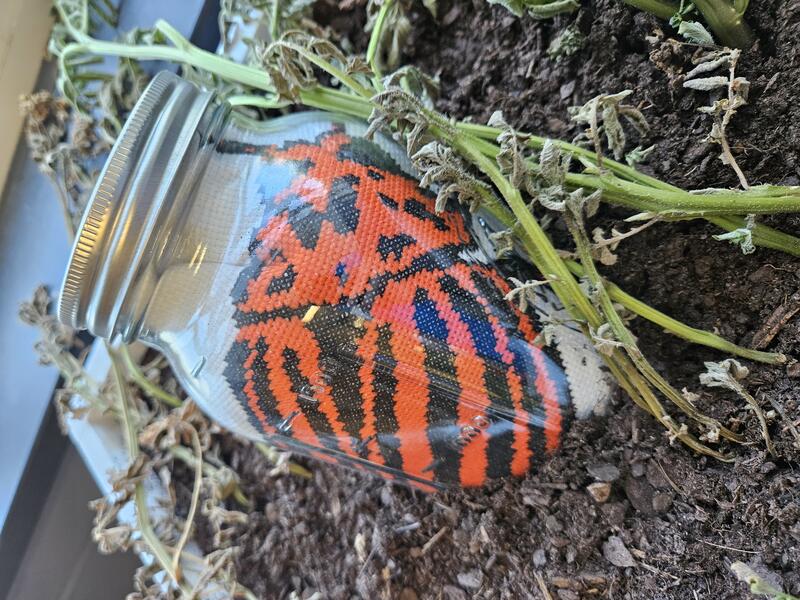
{"x":34,"y":250}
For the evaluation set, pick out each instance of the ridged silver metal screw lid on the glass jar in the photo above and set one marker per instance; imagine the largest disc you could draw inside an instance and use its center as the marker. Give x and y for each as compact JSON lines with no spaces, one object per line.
{"x":138,"y":181}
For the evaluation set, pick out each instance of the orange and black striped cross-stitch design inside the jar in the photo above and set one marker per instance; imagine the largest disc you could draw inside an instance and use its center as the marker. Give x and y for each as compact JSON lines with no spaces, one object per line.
{"x":374,"y":332}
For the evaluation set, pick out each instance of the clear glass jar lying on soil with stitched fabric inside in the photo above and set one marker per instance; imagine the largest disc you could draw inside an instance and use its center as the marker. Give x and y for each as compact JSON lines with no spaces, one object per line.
{"x":306,"y":293}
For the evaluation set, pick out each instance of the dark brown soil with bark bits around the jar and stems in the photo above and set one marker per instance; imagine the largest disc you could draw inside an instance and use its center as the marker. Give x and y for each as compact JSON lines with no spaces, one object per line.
{"x":673,"y":522}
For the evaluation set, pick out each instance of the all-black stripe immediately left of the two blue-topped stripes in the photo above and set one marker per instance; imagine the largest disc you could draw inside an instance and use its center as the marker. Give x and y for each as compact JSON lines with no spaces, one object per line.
{"x":384,"y":386}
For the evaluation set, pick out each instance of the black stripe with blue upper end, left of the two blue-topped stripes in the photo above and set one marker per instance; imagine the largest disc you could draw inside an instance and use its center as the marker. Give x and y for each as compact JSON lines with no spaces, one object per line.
{"x":443,"y":389}
